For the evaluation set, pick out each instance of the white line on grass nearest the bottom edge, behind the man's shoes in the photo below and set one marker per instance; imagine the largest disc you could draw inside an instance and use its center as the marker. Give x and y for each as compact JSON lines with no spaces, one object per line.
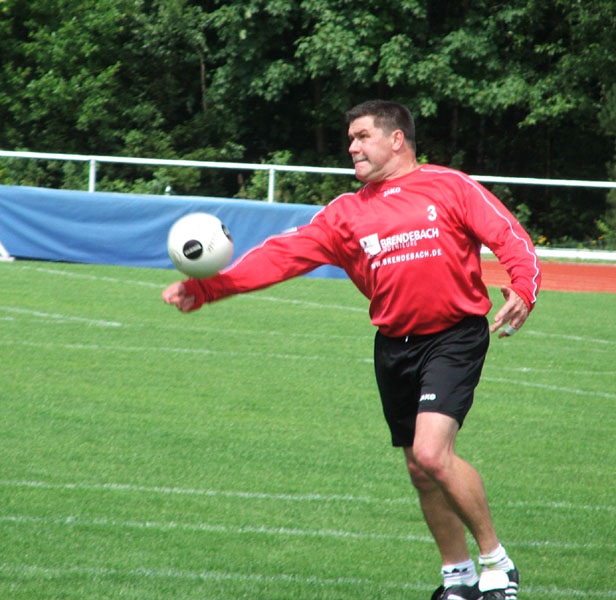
{"x":38,"y":571}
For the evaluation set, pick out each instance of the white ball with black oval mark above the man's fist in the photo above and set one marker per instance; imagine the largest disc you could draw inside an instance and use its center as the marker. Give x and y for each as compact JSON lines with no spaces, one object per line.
{"x":199,"y":245}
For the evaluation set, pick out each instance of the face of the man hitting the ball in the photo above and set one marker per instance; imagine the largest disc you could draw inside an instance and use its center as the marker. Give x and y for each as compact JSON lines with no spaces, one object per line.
{"x":371,"y":150}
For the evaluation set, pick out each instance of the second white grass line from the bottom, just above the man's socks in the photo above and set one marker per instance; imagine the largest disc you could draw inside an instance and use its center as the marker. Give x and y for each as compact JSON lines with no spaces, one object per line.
{"x":103,"y":522}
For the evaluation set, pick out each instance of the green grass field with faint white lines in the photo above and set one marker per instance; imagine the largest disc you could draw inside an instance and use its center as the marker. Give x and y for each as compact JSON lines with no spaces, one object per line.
{"x":240,"y":451}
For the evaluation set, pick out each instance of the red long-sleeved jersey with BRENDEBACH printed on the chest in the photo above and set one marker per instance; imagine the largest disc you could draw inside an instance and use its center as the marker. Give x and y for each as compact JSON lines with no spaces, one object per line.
{"x":411,"y":245}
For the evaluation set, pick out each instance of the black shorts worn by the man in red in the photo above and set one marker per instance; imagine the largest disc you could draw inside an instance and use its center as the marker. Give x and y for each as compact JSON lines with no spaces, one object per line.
{"x":433,"y":373}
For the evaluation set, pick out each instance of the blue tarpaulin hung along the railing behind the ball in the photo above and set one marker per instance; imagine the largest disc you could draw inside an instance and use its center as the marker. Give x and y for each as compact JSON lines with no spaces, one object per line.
{"x":129,"y":229}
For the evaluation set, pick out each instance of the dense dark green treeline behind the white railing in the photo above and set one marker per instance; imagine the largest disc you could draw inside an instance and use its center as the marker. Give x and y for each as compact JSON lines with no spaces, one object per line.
{"x":522,"y":88}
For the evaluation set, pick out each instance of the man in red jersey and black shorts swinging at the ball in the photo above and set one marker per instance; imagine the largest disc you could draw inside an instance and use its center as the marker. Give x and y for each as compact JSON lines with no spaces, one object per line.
{"x":410,"y":241}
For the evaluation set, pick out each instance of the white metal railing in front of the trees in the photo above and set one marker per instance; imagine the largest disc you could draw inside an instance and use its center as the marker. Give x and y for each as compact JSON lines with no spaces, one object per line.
{"x":93,"y":160}
